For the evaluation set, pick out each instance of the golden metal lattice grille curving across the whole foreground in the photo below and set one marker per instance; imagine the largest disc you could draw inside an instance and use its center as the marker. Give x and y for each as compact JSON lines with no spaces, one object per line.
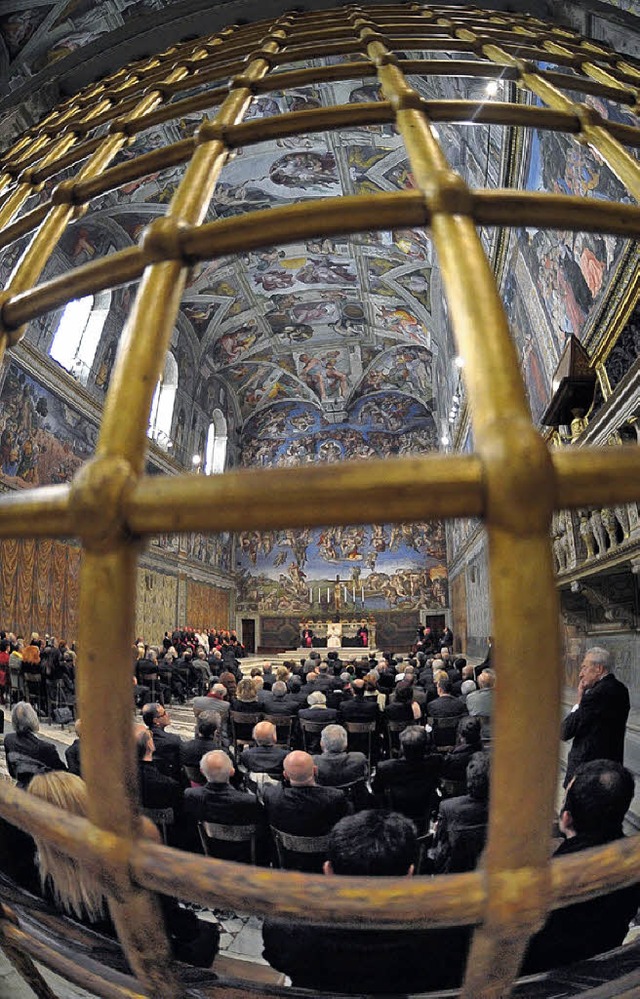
{"x":511,"y":479}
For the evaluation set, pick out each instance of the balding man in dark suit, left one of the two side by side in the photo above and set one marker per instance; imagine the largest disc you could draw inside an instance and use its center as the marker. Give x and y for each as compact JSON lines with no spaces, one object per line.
{"x":218,"y":802}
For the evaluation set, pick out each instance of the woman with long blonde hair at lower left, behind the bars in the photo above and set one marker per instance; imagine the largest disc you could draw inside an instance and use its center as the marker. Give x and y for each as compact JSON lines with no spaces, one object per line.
{"x":73,"y":889}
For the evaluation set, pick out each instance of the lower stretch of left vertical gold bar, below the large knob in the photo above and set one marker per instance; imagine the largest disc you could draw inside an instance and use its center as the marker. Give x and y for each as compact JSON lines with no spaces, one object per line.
{"x":107,"y":594}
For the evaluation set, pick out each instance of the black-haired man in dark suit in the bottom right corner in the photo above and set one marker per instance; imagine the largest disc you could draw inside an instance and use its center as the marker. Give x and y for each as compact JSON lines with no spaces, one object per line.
{"x":597,"y":800}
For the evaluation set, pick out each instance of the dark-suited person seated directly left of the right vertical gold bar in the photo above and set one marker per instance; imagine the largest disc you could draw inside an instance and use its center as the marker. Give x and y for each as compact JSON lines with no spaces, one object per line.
{"x":461,"y":831}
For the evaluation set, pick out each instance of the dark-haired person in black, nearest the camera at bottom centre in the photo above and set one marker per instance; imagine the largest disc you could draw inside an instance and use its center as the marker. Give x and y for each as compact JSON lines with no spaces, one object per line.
{"x":336,"y":959}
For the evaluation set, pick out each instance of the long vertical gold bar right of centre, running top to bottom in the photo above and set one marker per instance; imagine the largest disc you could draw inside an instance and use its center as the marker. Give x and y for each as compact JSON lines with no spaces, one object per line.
{"x":501,"y":426}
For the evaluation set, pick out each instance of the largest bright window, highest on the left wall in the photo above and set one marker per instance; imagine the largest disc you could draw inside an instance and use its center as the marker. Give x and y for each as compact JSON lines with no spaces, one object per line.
{"x":78,"y":334}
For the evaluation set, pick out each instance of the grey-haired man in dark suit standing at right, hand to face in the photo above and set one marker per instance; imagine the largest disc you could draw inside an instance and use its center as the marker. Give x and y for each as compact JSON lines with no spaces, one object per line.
{"x":597,"y":722}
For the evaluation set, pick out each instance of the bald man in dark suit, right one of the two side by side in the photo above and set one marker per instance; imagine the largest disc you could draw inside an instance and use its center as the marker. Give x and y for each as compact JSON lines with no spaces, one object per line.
{"x":301,"y":807}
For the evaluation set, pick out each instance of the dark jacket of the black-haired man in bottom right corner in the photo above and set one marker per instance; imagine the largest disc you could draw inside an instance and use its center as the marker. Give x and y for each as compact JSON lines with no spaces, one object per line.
{"x":579,"y":931}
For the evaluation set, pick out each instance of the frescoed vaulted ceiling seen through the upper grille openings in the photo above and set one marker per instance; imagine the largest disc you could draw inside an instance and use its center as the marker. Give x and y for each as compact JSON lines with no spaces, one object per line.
{"x":324,"y":323}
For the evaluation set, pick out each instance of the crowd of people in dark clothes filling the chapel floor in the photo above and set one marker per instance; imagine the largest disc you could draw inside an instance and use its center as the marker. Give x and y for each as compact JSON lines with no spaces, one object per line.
{"x":383,"y":761}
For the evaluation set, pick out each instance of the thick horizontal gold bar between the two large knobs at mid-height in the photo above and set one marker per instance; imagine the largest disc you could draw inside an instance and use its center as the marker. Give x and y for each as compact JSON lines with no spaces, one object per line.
{"x":399,"y":488}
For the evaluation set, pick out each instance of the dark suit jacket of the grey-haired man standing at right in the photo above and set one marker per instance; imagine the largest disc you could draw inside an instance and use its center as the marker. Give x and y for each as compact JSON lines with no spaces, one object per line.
{"x":597,"y":726}
